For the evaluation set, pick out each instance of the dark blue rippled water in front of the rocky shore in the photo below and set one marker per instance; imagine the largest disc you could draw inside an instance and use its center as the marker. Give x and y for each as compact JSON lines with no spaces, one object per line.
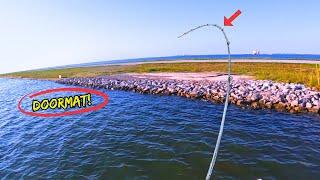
{"x":153,"y":137}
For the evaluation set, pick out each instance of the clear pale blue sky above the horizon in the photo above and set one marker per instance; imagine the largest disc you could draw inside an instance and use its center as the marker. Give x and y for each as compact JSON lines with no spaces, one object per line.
{"x":43,"y":33}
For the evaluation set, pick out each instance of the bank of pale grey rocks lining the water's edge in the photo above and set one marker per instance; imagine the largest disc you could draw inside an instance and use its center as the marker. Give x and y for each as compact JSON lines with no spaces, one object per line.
{"x":256,"y":94}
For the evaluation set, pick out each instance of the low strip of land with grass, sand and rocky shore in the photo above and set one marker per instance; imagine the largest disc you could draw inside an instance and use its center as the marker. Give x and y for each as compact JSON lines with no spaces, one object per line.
{"x":286,"y":86}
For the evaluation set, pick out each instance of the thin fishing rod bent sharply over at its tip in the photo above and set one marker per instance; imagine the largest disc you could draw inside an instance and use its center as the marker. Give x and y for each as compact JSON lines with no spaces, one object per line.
{"x":215,"y":153}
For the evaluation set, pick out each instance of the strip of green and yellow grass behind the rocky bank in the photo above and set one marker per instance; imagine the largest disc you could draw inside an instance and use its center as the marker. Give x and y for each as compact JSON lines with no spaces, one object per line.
{"x":307,"y":74}
